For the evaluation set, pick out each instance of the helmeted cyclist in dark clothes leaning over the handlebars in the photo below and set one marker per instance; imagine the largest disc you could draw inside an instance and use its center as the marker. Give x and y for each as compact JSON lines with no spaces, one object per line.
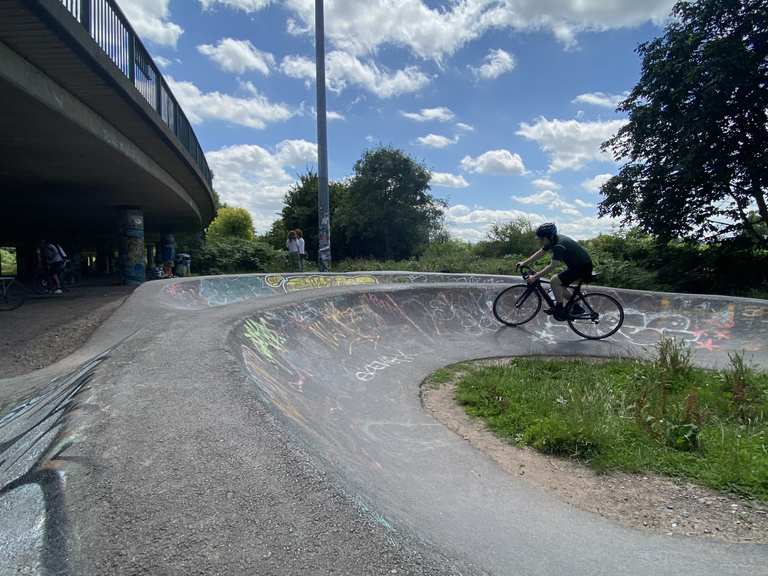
{"x":566,"y":251}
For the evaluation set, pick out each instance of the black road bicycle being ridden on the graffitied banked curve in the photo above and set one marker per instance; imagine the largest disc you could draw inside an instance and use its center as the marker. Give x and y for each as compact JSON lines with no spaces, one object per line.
{"x":592,"y":315}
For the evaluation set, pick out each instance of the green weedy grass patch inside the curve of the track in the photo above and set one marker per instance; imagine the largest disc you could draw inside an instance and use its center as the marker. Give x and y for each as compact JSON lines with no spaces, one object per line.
{"x":664,"y":416}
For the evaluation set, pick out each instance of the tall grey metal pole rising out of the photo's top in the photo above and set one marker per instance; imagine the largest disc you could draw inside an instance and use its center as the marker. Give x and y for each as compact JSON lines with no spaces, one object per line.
{"x":323,"y":199}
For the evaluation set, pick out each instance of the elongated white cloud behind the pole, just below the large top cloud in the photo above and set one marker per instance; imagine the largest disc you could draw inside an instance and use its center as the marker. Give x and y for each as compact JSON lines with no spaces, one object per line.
{"x":344,"y":70}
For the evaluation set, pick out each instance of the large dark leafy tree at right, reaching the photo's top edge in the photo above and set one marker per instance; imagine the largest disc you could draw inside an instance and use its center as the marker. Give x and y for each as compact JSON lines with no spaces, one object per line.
{"x":696,"y":145}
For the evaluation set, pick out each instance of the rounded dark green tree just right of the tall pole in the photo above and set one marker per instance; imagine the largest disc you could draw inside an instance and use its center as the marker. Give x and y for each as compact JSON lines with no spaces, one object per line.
{"x":388,"y":211}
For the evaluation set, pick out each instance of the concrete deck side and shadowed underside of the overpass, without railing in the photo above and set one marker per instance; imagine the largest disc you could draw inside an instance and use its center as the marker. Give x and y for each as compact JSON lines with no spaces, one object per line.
{"x":78,"y":142}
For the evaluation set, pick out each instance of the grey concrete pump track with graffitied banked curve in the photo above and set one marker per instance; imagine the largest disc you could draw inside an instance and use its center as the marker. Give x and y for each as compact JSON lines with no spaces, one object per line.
{"x":138,"y":454}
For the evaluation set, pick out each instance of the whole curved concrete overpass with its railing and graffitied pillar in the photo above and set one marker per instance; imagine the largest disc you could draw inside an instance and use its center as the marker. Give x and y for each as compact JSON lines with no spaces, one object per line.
{"x":95,"y":150}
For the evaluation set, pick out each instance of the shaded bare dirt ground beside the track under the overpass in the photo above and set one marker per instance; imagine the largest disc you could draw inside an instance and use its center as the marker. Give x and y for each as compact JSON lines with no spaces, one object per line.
{"x":46,"y":329}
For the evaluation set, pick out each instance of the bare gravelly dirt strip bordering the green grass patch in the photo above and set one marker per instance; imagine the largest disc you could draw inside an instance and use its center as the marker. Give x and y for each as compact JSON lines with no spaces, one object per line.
{"x":649,"y":502}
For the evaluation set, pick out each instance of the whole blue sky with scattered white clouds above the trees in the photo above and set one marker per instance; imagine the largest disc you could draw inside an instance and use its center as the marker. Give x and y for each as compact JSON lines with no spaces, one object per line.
{"x":506,"y":101}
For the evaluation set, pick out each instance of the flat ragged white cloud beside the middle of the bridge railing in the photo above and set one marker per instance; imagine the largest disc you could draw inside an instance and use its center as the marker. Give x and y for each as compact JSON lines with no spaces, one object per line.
{"x":254,"y":111}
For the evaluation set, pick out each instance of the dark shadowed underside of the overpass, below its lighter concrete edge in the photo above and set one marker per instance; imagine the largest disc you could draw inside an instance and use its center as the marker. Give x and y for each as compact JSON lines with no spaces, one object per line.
{"x":59,"y":179}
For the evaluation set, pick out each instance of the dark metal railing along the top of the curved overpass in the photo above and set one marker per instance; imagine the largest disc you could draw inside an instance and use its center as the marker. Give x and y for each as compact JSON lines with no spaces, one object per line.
{"x":109,"y":27}
